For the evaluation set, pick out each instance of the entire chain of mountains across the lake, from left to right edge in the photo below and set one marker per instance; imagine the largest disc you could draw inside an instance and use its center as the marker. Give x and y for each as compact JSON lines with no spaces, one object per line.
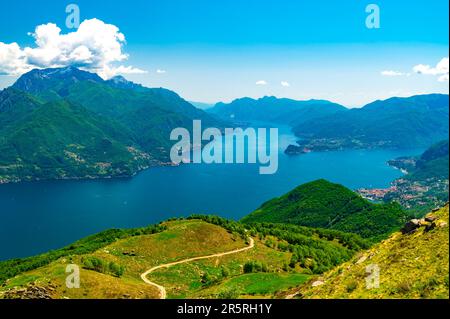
{"x":68,"y":123}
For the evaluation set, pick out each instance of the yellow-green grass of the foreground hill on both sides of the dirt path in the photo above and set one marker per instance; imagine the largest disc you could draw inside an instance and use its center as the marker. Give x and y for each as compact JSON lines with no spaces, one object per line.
{"x":181,"y":239}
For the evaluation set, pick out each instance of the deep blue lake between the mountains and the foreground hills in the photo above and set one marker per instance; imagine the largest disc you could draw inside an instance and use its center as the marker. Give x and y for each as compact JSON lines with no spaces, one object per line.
{"x":39,"y":216}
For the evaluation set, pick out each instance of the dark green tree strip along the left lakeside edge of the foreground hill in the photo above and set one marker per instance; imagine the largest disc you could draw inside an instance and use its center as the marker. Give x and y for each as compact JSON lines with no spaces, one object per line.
{"x":11,"y":268}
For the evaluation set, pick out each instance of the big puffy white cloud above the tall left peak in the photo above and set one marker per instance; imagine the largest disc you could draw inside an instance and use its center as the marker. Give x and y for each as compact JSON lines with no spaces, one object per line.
{"x":94,"y":46}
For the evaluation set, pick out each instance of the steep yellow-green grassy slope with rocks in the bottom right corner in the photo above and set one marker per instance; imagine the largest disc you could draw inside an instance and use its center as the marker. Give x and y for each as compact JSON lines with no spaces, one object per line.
{"x":411,"y":265}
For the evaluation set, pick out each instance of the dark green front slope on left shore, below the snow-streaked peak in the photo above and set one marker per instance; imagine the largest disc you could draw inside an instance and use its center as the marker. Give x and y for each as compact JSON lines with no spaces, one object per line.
{"x":64,"y":140}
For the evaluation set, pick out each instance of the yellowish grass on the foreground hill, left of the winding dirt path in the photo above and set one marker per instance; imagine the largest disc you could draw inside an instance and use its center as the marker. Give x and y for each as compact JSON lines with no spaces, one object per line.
{"x":183,"y":239}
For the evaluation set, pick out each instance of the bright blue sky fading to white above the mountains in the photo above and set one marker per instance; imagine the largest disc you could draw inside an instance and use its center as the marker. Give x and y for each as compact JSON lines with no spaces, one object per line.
{"x":218,"y":50}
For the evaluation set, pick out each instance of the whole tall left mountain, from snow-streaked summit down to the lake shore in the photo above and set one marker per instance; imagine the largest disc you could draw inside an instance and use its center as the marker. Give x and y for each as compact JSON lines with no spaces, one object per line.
{"x":69,"y":123}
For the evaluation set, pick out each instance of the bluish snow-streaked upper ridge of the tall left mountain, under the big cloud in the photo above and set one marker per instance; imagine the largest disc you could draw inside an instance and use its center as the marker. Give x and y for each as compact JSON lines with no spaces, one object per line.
{"x":113,"y":97}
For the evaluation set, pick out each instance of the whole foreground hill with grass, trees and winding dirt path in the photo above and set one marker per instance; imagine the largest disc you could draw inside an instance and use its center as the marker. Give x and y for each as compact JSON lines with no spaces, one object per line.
{"x":112,"y":262}
